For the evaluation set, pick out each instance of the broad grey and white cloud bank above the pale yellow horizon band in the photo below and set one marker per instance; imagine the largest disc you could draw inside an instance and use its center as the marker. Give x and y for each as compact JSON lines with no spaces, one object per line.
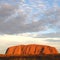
{"x":21,"y":19}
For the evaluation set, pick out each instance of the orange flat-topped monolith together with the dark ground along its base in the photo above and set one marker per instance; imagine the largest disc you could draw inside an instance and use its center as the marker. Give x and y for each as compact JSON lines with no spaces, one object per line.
{"x":31,"y":52}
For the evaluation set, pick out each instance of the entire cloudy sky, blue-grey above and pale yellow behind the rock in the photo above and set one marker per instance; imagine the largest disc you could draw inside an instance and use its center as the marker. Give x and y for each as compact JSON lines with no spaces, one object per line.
{"x":29,"y":22}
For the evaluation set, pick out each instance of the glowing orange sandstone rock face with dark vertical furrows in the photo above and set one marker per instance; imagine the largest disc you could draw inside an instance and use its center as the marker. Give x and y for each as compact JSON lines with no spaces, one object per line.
{"x":25,"y":50}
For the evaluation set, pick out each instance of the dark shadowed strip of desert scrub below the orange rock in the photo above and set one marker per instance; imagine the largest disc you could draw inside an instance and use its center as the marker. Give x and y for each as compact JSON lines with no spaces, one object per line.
{"x":41,"y":57}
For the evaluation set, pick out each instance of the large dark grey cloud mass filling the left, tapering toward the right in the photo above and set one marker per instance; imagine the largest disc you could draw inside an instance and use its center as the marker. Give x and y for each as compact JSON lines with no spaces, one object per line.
{"x":16,"y":24}
